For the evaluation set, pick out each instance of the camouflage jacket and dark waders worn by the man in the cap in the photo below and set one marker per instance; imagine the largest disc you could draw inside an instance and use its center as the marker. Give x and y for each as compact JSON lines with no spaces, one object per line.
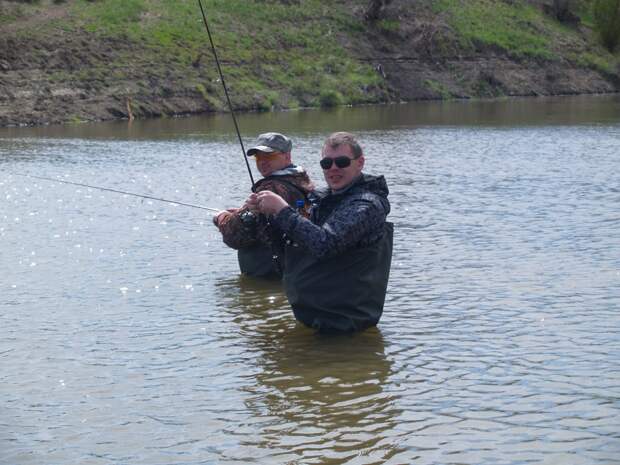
{"x":259,"y":244}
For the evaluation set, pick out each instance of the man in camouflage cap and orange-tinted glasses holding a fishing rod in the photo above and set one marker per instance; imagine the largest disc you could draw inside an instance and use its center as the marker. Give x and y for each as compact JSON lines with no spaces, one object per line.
{"x":257,"y":241}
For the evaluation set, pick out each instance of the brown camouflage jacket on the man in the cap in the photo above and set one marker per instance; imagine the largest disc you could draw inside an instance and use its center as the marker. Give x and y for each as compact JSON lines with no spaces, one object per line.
{"x":243,"y":229}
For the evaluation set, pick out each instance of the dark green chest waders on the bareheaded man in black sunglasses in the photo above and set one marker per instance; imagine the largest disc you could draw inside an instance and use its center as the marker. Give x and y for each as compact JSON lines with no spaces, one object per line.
{"x":344,"y":293}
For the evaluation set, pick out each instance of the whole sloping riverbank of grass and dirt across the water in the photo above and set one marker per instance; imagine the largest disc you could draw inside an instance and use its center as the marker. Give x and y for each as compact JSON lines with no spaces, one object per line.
{"x":112,"y":59}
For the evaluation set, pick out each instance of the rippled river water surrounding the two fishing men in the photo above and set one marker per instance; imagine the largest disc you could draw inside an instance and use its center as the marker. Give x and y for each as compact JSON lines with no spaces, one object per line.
{"x":127,"y":335}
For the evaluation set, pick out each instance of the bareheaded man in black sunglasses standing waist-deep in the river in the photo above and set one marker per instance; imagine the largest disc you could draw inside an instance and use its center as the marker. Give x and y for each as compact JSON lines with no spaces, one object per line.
{"x":337,"y":262}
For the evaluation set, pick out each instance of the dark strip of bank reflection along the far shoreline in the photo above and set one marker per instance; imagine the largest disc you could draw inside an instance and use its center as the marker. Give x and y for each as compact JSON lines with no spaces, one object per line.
{"x":509,"y":112}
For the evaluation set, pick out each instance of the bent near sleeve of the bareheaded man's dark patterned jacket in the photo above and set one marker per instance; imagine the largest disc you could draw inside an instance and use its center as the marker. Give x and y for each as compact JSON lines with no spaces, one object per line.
{"x":345,"y":228}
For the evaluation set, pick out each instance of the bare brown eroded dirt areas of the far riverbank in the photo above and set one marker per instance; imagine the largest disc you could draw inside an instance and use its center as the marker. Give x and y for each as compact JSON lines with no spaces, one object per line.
{"x":76,"y":76}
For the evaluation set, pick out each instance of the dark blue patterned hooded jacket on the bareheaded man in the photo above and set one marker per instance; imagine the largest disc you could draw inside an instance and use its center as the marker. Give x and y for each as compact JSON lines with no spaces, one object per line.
{"x":347,"y":219}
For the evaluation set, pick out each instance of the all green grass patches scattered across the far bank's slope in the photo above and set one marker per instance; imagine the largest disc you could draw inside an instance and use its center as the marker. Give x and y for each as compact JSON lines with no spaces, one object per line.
{"x":299,"y":62}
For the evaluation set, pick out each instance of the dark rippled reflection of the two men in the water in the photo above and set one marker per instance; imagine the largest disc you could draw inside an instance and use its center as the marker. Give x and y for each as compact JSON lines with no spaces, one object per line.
{"x":320,"y":398}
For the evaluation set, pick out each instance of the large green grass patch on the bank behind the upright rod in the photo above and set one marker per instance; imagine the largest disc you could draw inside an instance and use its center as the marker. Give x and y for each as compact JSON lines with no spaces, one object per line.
{"x":301,"y":53}
